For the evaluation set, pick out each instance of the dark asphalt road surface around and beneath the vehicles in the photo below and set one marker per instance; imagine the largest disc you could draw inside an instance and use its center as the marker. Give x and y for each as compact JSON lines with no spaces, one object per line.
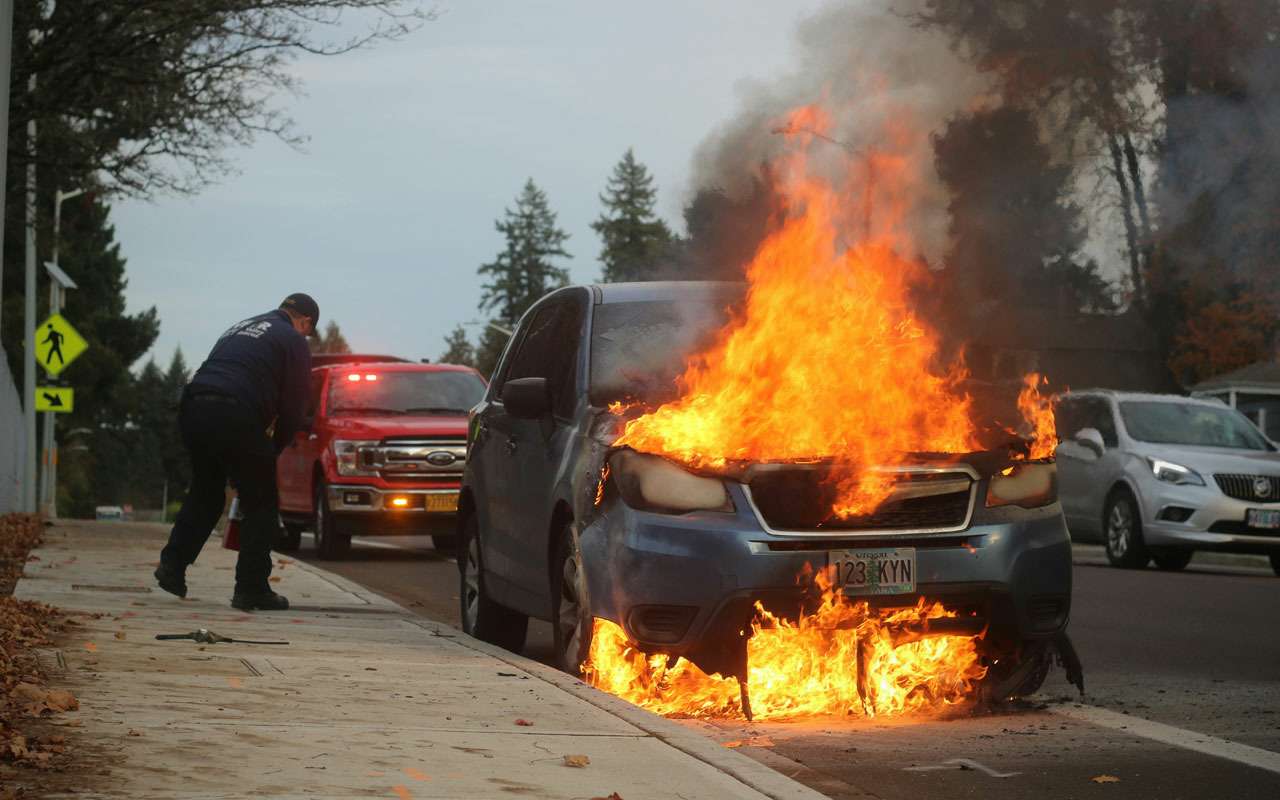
{"x":1182,"y":670}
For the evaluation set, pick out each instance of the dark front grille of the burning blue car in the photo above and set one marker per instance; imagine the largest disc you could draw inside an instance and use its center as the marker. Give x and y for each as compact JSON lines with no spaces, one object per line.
{"x":925,"y":502}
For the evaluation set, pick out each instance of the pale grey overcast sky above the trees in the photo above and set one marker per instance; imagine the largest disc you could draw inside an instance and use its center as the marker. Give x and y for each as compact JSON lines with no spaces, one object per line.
{"x":418,"y":147}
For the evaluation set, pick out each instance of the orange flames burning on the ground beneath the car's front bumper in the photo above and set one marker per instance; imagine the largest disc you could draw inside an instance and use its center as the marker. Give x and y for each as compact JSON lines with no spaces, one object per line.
{"x":803,"y":669}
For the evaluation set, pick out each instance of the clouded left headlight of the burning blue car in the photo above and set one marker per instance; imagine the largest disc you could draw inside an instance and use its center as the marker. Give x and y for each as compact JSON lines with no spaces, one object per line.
{"x":652,"y":483}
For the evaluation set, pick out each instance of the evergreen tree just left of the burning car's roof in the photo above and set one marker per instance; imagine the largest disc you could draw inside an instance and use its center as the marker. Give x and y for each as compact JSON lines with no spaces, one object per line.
{"x":525,"y":269}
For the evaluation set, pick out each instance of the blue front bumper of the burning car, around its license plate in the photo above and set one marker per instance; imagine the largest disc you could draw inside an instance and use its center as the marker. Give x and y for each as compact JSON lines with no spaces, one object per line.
{"x":671,"y":582}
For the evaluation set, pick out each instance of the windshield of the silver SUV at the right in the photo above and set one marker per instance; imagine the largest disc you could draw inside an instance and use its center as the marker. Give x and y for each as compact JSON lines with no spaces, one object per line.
{"x":1160,"y":423}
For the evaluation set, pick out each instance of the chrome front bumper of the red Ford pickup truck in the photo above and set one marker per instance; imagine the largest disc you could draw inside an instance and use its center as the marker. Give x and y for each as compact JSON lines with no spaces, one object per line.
{"x":365,"y":510}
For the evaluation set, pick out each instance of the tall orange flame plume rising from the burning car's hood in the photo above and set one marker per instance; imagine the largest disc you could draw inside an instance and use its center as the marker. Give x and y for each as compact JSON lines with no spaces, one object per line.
{"x":828,"y":359}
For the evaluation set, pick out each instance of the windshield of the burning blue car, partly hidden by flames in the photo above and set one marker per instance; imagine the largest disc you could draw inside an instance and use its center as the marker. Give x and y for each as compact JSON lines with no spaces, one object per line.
{"x":641,"y":349}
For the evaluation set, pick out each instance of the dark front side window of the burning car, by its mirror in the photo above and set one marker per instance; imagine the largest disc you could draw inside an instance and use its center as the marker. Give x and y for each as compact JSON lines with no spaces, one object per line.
{"x":550,"y":350}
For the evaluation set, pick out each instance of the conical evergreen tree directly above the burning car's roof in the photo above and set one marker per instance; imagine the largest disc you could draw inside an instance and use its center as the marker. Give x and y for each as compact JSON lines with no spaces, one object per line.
{"x":636,"y":240}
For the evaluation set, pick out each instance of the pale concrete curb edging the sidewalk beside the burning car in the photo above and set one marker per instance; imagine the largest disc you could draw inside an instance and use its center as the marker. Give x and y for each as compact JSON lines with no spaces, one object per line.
{"x":740,"y":767}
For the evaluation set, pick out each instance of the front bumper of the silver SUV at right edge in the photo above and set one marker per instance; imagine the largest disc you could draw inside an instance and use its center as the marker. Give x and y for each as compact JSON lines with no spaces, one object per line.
{"x":1218,"y":522}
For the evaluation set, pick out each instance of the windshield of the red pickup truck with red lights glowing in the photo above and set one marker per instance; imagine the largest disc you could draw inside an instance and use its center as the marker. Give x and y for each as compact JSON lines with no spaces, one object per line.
{"x":395,"y":394}
